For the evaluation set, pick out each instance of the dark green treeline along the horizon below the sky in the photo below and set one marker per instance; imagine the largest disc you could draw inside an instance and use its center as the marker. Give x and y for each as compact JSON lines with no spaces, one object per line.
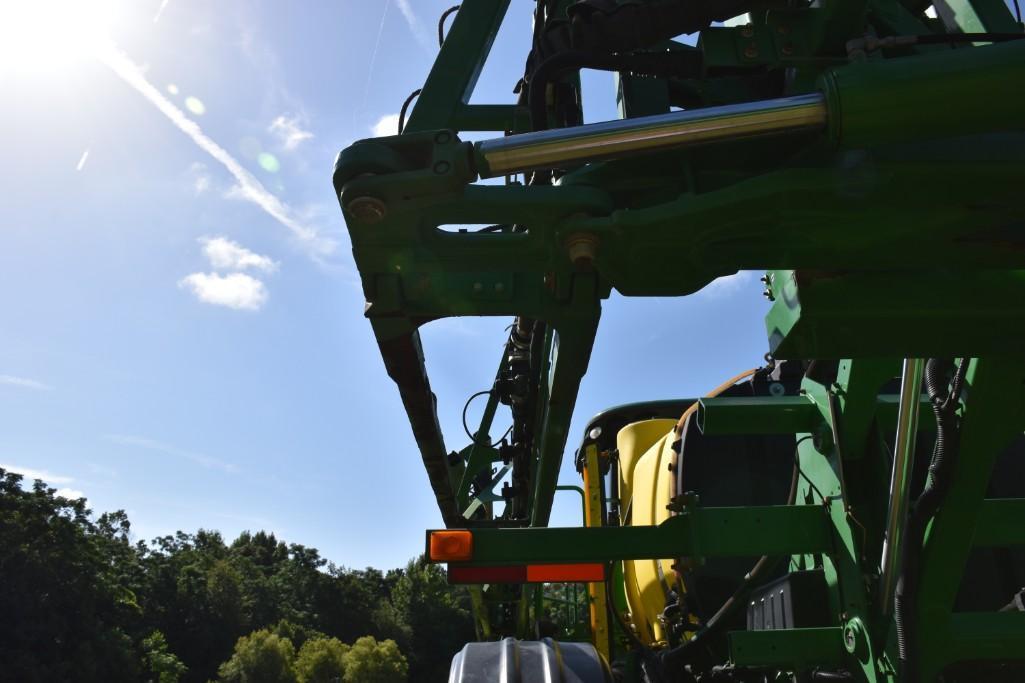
{"x":80,"y":602}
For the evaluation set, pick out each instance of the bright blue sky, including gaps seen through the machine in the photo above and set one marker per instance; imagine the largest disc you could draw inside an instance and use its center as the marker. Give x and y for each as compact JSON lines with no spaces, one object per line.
{"x":182,"y":326}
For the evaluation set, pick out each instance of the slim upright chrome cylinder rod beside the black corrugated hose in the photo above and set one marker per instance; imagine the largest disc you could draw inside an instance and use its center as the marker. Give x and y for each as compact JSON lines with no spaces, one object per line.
{"x":900,"y":479}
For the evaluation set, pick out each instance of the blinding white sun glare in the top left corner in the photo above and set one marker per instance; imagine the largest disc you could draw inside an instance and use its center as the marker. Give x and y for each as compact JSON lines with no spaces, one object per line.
{"x":46,"y":37}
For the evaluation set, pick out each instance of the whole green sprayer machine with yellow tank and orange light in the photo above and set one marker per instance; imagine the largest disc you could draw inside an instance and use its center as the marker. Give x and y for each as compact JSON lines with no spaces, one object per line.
{"x":853,"y":509}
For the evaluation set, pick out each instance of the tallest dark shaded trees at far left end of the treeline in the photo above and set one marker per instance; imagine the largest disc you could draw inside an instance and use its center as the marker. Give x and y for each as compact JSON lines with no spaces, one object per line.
{"x":65,"y":607}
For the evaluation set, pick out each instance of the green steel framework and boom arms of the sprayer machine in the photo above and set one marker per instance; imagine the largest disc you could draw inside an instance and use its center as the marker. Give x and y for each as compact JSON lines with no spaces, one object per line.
{"x":897,"y":231}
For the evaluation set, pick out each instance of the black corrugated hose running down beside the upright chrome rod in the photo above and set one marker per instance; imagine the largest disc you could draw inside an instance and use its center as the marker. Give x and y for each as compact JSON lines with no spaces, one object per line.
{"x":941,"y":467}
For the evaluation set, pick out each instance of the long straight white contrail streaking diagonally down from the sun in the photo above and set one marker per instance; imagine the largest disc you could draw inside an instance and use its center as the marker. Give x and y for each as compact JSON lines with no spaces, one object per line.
{"x":250,"y":187}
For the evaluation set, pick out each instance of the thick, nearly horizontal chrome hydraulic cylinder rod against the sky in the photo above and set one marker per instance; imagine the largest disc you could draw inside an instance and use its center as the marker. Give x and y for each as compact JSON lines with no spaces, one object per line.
{"x":595,"y":142}
